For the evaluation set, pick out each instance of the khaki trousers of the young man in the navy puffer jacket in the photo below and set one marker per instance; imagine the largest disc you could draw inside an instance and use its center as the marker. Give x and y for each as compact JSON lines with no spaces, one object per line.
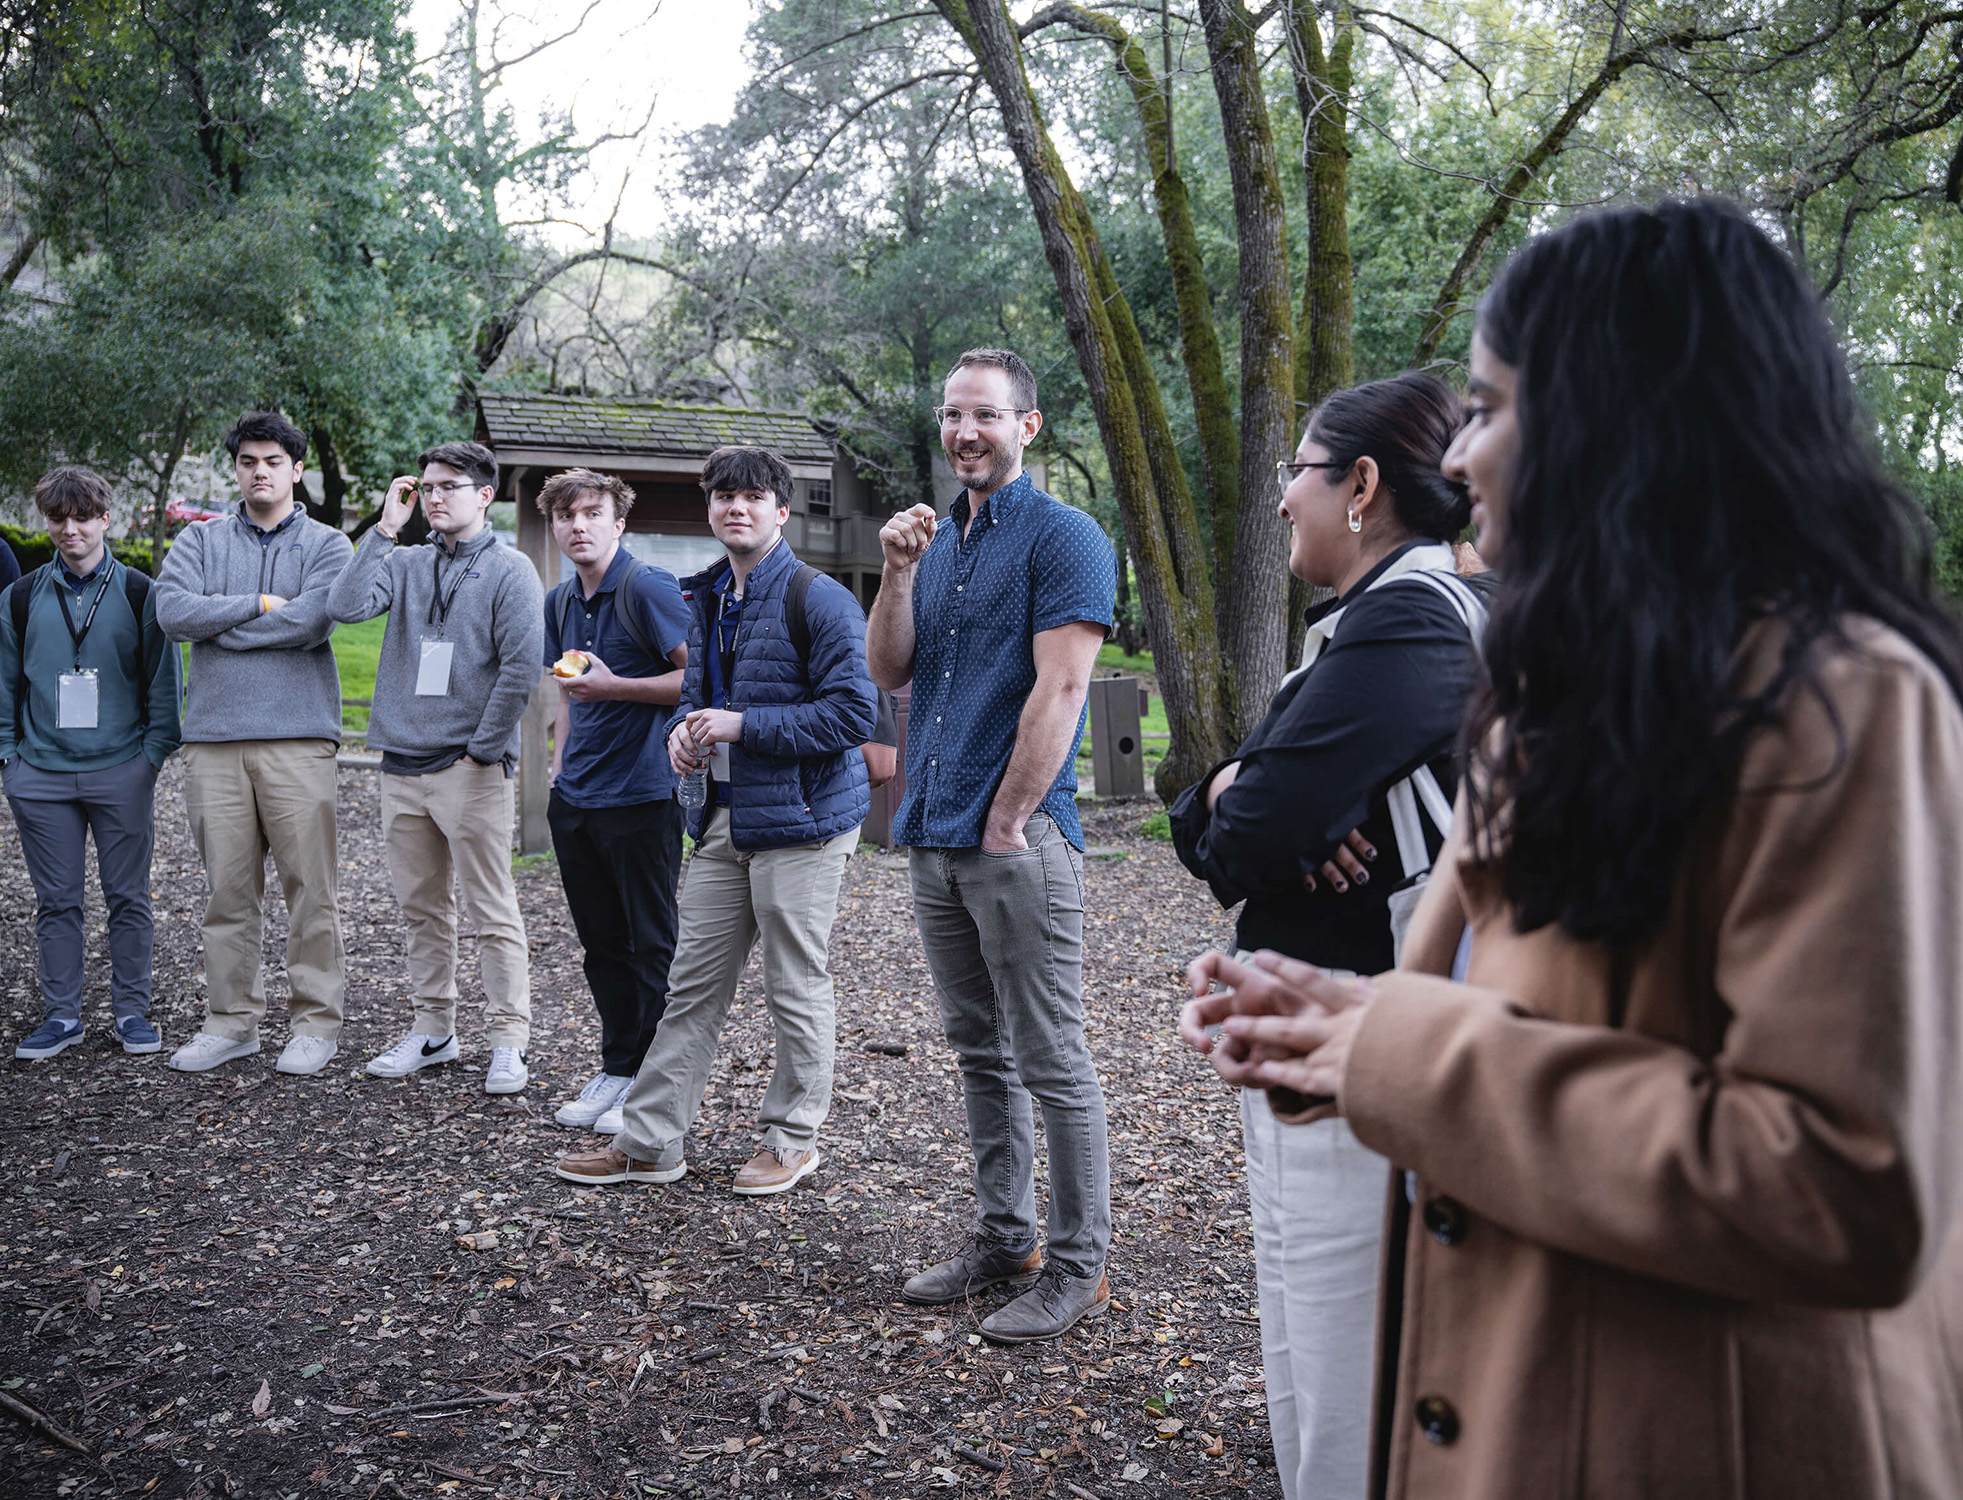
{"x":729,"y":900}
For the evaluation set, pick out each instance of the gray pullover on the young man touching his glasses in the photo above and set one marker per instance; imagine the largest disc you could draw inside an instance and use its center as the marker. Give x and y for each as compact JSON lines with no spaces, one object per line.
{"x":498,"y":629}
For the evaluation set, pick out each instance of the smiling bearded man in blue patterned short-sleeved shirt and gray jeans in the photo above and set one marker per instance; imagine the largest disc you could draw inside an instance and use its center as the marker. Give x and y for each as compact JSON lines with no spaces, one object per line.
{"x":996,"y":616}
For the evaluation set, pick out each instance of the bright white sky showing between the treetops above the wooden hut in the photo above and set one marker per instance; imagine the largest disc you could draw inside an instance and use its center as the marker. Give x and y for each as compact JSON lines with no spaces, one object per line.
{"x":682,"y":56}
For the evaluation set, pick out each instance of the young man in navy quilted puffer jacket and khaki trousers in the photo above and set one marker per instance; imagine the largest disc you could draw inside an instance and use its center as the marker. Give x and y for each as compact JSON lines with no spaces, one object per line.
{"x":780,"y":716}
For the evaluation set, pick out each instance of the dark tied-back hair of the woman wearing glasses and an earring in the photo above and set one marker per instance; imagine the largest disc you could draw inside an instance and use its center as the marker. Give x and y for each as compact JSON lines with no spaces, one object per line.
{"x":1406,"y":425}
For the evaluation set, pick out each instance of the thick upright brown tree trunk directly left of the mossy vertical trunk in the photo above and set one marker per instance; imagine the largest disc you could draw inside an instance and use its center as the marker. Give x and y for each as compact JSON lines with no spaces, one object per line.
{"x":1257,"y":621}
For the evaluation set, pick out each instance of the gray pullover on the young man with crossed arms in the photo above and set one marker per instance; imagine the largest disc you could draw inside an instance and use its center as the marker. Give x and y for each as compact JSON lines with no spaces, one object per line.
{"x":256,"y":674}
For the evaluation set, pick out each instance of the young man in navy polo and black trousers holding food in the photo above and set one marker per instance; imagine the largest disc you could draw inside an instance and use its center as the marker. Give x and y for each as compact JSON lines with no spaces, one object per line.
{"x":615,"y":822}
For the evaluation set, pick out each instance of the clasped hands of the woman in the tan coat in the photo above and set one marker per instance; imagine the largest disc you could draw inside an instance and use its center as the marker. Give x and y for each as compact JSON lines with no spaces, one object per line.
{"x":1283,"y":1024}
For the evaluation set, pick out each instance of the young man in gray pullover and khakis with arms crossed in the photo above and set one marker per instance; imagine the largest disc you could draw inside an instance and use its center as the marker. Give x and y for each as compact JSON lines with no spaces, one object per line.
{"x":262,"y":725}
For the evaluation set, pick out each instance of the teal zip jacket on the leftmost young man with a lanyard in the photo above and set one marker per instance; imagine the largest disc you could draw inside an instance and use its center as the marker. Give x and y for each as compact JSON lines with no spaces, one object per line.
{"x":136,"y":678}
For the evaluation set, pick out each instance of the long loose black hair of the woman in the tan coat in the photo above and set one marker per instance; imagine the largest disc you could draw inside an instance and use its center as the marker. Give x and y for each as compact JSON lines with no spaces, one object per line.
{"x":1691,"y":460}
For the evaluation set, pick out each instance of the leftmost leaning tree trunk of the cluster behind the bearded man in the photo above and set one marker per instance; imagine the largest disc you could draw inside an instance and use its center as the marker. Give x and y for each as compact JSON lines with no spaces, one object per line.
{"x":1175,"y":586}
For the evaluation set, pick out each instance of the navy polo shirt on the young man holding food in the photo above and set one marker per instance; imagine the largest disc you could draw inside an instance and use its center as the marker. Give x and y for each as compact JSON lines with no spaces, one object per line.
{"x":615,"y":755}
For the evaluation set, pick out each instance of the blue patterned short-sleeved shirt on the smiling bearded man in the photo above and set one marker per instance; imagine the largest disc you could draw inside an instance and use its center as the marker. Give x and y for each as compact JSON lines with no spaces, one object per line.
{"x":1028,"y":566}
